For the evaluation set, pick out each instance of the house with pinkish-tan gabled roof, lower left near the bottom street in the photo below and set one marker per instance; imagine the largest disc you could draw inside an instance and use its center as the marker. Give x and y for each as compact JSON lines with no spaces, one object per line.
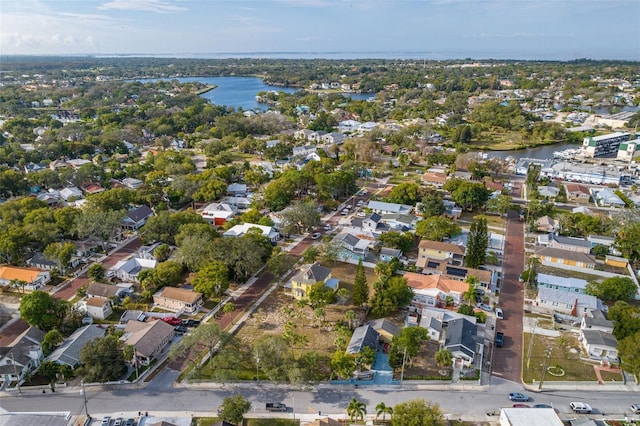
{"x":147,"y":338}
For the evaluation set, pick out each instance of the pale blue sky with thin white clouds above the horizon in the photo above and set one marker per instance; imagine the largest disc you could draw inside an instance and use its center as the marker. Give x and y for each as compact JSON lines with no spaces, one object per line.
{"x":429,"y":29}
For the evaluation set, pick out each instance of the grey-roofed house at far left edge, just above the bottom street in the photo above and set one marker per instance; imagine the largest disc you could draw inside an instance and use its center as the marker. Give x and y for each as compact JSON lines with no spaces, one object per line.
{"x":22,"y":356}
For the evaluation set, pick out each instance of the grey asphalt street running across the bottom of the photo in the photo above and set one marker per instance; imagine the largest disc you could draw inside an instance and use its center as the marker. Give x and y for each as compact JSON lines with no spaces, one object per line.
{"x":471,"y":404}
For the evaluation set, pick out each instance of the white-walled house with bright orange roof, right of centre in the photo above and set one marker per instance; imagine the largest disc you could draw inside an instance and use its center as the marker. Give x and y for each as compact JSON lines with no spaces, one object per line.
{"x":434,"y":290}
